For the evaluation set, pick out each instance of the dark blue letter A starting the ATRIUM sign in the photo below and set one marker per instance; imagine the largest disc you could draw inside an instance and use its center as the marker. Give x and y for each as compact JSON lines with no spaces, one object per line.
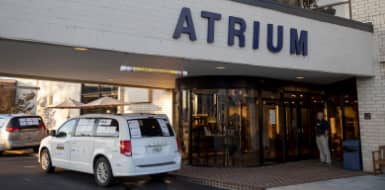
{"x":185,"y":17}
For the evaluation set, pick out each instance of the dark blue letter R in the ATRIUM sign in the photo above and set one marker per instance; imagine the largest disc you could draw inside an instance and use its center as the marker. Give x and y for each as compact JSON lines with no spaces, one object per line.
{"x":240,"y":33}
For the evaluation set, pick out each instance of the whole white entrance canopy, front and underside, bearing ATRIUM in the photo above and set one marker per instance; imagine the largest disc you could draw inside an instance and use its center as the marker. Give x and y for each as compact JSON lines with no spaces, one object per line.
{"x":217,"y":37}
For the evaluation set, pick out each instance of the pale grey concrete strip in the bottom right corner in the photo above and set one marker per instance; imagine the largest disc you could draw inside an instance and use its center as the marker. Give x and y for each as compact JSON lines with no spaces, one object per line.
{"x":368,"y":182}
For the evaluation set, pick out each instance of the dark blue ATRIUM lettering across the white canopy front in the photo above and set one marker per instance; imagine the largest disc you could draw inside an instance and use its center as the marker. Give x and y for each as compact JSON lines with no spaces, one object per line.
{"x":236,"y":30}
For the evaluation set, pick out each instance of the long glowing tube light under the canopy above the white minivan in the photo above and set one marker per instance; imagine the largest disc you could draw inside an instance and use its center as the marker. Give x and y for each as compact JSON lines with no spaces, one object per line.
{"x":124,"y":68}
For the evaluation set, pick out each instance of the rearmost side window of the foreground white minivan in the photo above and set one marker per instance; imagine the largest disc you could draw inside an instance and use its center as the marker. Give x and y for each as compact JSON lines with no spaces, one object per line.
{"x":107,"y":128}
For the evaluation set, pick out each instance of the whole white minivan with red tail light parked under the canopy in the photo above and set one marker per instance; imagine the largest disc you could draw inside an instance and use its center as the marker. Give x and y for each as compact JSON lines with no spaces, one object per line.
{"x":110,"y":146}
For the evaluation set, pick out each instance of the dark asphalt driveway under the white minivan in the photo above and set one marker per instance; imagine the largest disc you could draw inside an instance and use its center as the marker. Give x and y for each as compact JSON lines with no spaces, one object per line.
{"x":21,"y":171}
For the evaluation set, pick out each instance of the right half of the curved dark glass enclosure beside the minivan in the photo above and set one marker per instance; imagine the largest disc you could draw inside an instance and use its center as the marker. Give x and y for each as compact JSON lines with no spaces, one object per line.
{"x":241,"y":130}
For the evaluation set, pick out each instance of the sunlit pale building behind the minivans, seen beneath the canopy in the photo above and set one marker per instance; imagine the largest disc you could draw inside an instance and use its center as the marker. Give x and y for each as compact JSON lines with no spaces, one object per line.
{"x":34,"y":96}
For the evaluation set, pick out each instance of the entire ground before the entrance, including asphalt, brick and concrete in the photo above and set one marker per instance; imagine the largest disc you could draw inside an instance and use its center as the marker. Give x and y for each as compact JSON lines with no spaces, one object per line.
{"x":20,"y":170}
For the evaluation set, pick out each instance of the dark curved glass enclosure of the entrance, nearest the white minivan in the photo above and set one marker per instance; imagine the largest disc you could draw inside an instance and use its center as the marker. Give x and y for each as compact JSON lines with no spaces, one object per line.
{"x":224,"y":128}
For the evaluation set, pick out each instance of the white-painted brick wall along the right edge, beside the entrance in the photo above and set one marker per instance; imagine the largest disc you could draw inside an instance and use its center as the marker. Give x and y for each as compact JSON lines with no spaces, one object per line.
{"x":371,"y":91}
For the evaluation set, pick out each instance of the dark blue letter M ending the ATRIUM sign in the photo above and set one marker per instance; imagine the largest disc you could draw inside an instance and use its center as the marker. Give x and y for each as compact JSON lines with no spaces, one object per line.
{"x":298,"y":45}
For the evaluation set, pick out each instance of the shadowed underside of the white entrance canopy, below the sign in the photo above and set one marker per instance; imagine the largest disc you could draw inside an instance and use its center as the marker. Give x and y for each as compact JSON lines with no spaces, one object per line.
{"x":53,"y":62}
